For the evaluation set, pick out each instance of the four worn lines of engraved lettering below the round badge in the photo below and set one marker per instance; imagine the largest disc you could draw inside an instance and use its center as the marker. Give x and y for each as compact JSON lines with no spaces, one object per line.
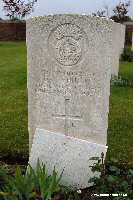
{"x":67,"y":83}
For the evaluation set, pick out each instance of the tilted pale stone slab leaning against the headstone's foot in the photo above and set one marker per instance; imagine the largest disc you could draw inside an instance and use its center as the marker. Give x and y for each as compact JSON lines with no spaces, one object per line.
{"x":68,"y":153}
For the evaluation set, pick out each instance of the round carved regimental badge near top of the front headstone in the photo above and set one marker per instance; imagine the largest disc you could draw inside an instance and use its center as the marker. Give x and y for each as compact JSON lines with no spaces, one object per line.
{"x":68,"y":44}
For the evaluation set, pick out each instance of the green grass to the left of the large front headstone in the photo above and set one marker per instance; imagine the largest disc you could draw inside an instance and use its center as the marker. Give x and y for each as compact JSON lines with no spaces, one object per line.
{"x":13,"y":100}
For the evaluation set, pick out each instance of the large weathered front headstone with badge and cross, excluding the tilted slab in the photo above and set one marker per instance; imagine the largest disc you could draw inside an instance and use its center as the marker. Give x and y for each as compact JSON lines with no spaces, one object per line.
{"x":69,"y":62}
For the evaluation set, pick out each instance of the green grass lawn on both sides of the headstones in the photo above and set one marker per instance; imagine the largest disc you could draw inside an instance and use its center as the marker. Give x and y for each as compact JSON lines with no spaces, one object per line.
{"x":14,"y":108}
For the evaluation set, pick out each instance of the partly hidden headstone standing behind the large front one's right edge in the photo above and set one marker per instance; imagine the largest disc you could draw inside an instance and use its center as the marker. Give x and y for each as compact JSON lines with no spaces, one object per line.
{"x":117,"y":46}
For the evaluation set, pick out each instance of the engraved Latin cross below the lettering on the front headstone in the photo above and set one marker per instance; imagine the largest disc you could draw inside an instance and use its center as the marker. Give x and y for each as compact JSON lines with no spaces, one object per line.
{"x":66,"y":116}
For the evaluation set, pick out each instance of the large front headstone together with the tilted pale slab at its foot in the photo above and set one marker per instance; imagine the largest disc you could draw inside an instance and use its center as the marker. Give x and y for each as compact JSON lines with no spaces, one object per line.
{"x":69,"y":62}
